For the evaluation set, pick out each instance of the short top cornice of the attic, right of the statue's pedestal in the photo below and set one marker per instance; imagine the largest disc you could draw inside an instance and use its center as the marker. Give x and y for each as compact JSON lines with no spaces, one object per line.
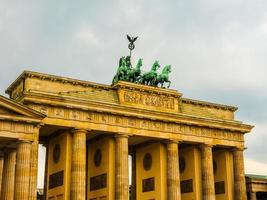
{"x":208,"y":104}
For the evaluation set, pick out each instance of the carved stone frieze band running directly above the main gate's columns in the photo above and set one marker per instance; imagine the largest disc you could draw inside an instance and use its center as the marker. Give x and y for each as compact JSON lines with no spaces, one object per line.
{"x":138,"y":123}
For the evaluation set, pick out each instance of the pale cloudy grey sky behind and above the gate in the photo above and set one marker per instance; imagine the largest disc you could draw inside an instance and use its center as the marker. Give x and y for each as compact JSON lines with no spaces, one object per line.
{"x":216,"y":49}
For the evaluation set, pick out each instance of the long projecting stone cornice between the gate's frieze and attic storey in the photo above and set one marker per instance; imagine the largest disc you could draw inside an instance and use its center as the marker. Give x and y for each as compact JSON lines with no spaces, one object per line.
{"x":78,"y":103}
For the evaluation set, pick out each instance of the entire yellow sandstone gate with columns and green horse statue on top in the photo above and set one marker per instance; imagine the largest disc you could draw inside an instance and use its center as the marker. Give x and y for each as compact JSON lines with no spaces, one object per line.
{"x":129,"y":140}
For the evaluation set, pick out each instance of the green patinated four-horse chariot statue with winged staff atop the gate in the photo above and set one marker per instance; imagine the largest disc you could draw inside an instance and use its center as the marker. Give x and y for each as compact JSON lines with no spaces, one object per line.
{"x":126,"y":72}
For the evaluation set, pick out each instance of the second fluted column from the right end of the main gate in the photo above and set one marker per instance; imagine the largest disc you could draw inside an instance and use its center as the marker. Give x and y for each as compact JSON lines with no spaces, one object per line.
{"x":208,"y":190}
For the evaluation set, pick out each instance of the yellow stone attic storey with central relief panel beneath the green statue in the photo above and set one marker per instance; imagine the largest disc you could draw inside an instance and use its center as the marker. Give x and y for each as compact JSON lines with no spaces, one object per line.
{"x":123,"y":93}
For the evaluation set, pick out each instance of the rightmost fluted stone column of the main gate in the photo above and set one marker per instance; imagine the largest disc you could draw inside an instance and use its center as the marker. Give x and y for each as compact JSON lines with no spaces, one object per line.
{"x":239,"y":175}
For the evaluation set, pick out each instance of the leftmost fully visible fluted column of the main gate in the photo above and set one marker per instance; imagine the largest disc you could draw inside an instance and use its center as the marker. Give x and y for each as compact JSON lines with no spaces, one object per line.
{"x":78,"y":165}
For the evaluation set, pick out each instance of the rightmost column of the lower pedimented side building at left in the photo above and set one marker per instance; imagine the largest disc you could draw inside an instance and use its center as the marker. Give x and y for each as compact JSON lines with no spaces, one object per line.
{"x":22,"y":178}
